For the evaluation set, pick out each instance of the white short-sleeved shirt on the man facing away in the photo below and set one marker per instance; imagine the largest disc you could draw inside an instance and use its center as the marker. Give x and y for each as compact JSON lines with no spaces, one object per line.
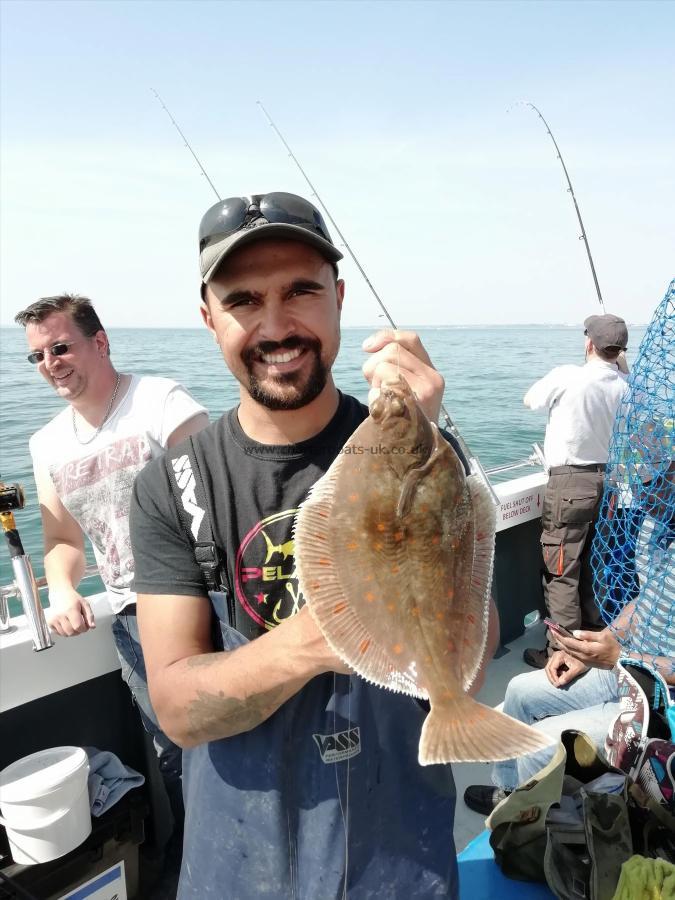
{"x":582,"y":402}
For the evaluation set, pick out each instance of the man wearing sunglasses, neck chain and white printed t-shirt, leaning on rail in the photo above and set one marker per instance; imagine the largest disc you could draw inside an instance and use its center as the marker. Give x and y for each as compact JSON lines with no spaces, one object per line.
{"x":85,"y":460}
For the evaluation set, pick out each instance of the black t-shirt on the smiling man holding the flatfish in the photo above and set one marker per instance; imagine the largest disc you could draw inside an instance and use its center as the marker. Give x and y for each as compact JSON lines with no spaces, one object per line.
{"x":253,"y":491}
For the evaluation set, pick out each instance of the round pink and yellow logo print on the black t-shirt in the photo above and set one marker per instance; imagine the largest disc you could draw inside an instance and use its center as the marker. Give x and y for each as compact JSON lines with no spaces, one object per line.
{"x":264,"y":579}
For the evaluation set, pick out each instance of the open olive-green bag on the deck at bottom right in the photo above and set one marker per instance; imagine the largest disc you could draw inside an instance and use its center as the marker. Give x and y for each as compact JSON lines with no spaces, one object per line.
{"x":575,"y":823}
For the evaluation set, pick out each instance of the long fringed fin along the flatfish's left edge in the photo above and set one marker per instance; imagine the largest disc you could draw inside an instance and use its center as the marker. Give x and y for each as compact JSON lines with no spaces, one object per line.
{"x":318,"y":578}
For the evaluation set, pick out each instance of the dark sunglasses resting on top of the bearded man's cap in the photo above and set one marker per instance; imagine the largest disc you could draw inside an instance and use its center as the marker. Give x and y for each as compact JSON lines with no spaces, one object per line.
{"x":235,"y":213}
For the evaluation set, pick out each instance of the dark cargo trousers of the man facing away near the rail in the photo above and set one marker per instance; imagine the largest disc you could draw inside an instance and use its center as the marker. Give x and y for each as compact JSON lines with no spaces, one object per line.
{"x":570,"y":511}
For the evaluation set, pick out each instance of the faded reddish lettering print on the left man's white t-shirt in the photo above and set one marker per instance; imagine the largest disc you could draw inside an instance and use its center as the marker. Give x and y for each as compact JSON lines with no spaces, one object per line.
{"x":96,"y":491}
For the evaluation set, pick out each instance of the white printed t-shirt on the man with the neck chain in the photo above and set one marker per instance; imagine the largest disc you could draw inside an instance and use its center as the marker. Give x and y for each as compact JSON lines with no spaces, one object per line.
{"x":94,"y":481}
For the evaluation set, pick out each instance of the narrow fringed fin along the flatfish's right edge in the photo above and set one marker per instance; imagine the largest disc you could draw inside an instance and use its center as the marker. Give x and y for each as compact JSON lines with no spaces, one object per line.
{"x":478,"y":606}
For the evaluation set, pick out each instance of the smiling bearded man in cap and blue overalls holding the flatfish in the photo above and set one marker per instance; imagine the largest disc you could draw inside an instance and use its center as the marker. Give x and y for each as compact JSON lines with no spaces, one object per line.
{"x":300,"y":779}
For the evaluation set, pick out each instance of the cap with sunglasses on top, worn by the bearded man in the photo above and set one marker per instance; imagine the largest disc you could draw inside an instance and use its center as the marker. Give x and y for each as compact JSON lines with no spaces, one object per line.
{"x":232,"y":223}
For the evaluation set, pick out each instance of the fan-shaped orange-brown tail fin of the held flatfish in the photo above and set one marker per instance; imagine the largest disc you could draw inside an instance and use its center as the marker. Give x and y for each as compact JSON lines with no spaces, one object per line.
{"x":467,"y":731}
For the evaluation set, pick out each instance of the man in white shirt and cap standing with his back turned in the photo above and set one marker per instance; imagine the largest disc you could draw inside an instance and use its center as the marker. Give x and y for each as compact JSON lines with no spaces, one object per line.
{"x":582,"y":403}
